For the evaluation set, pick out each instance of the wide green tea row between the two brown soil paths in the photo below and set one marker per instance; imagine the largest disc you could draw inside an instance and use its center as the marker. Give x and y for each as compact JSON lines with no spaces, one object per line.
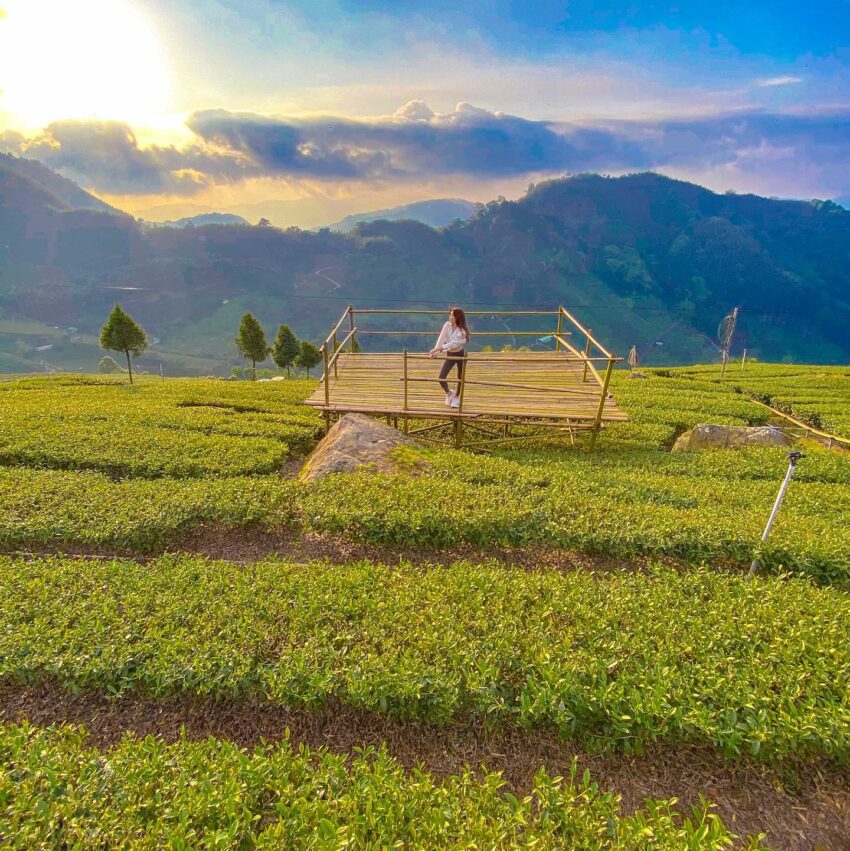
{"x":616,"y":659}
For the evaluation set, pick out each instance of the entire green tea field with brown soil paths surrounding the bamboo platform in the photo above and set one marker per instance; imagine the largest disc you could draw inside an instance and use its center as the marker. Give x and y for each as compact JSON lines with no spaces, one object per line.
{"x":260,"y":662}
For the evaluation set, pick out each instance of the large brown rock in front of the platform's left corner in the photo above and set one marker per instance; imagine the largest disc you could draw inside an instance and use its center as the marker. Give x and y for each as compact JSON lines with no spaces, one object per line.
{"x":357,"y":440}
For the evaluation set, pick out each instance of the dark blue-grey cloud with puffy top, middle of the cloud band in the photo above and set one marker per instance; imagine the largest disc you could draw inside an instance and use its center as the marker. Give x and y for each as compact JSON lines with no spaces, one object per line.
{"x":413,"y":143}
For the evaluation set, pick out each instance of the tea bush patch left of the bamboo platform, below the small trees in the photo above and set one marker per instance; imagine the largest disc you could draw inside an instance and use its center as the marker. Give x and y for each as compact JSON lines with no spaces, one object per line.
{"x":174,"y":428}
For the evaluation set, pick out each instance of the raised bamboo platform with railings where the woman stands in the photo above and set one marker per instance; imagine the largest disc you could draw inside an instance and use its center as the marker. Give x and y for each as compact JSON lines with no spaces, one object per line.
{"x":558,"y":391}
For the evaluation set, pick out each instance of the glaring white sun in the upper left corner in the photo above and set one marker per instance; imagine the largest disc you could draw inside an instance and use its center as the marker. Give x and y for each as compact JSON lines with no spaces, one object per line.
{"x":82,"y":59}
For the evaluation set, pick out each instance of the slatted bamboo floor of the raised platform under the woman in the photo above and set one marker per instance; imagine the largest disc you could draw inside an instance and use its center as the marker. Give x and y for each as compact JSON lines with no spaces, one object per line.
{"x":550,"y":389}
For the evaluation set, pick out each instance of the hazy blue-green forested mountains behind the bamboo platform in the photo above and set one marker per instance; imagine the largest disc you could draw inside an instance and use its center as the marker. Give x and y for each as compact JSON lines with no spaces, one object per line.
{"x":645,"y":260}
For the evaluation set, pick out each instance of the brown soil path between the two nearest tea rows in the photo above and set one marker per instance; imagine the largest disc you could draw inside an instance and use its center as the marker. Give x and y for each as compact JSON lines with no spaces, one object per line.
{"x":806,"y":806}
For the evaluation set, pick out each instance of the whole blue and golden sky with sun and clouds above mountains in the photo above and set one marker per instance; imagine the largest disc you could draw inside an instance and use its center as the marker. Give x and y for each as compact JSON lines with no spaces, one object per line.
{"x":308,"y":110}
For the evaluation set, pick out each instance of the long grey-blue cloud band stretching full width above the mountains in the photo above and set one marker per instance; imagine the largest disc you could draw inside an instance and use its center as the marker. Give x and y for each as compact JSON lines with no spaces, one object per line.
{"x":780,"y":153}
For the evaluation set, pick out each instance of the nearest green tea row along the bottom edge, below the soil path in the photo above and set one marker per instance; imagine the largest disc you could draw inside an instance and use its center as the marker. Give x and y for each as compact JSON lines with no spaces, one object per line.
{"x":57,"y":791}
